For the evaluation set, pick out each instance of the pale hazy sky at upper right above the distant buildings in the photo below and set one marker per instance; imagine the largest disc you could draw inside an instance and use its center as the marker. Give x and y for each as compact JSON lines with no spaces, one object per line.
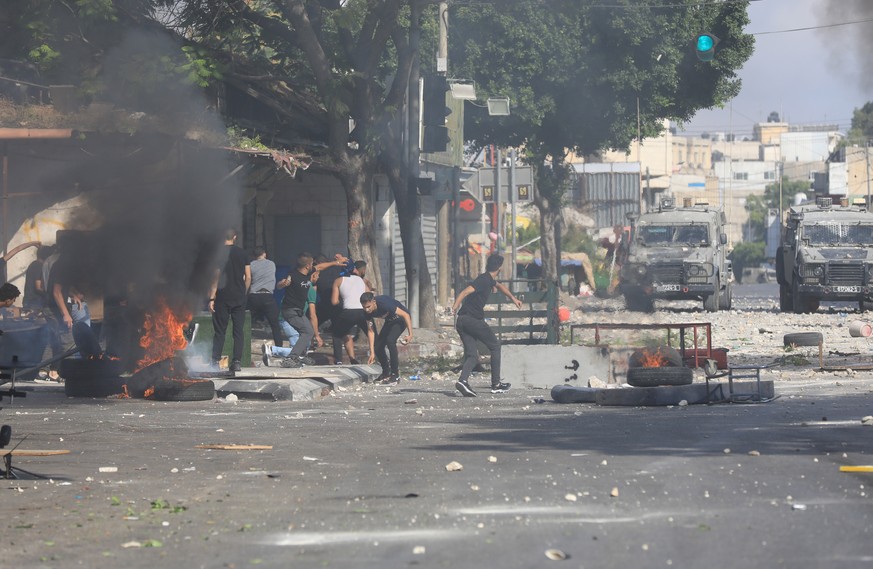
{"x":808,"y":77}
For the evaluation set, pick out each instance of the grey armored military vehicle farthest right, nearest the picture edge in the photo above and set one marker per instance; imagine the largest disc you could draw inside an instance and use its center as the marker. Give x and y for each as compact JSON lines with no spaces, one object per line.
{"x":826,"y":253}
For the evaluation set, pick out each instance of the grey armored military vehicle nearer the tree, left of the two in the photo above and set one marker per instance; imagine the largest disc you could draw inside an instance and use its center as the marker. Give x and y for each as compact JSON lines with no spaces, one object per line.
{"x":677,"y":253}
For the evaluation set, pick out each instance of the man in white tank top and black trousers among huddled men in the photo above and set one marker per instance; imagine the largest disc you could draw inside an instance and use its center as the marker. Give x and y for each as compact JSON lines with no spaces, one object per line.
{"x":347,"y":293}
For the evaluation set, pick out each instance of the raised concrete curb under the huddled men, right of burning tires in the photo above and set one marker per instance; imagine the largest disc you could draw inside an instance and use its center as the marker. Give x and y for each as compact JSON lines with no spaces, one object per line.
{"x":301,"y":384}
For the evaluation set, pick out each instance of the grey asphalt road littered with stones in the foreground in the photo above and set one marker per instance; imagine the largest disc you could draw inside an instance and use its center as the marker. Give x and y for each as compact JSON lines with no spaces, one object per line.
{"x":359,"y":480}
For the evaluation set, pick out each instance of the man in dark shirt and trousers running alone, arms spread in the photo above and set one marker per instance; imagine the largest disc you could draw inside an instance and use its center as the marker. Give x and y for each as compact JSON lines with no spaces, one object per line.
{"x":471,"y":326}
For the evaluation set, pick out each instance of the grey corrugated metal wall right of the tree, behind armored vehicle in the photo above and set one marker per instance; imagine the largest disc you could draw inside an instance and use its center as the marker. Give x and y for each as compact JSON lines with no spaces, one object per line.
{"x":607,"y":197}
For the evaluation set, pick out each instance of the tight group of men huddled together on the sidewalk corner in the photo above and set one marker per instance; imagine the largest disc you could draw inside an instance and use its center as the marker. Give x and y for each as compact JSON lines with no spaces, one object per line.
{"x":320,"y":295}
